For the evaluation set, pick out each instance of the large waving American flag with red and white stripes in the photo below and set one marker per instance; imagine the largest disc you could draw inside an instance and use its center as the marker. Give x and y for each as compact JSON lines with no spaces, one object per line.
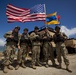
{"x":36,"y":13}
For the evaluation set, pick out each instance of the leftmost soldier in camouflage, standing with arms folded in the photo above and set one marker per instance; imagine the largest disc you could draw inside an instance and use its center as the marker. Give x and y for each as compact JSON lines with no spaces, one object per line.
{"x":12,"y":38}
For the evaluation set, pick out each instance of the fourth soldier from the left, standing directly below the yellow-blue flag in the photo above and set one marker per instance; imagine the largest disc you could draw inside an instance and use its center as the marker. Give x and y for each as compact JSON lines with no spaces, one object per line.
{"x":47,"y":47}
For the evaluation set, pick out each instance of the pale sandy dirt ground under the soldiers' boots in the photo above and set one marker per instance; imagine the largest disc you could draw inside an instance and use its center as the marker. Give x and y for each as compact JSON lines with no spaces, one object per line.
{"x":45,"y":71}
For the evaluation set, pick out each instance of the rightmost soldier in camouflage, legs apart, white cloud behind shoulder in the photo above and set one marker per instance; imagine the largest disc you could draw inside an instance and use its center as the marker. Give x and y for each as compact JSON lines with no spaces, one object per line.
{"x":59,"y":39}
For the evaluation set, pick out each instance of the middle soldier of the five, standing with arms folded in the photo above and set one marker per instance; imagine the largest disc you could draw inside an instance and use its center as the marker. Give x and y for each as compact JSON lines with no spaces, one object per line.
{"x":34,"y":36}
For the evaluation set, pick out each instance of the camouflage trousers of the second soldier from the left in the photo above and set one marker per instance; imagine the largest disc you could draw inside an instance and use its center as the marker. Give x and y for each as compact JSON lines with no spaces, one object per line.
{"x":22,"y":54}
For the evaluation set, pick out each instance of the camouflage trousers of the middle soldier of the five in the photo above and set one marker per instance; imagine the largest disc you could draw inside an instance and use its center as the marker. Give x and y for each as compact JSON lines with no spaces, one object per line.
{"x":35,"y":54}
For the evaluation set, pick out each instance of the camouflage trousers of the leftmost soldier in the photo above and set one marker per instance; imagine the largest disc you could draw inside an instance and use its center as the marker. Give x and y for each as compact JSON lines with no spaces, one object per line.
{"x":9,"y":54}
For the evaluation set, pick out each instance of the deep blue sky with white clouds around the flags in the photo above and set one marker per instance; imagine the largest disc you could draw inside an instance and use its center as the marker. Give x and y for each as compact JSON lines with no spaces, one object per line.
{"x":65,"y":8}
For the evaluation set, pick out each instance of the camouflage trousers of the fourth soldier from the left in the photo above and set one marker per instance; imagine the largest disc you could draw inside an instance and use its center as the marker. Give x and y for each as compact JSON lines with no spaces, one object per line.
{"x":48,"y":51}
